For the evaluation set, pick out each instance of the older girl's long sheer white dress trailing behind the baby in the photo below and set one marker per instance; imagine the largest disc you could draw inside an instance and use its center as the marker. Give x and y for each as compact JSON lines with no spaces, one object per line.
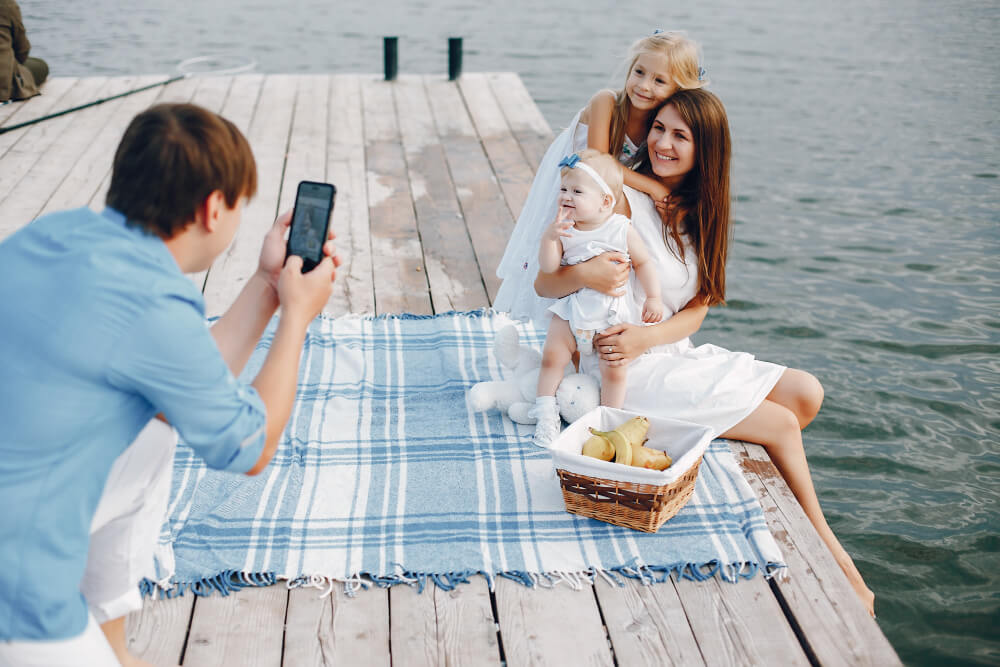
{"x":519,"y":265}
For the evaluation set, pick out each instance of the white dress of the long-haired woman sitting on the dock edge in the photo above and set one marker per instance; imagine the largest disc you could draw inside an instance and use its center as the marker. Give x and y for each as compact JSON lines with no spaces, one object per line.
{"x":706,"y":384}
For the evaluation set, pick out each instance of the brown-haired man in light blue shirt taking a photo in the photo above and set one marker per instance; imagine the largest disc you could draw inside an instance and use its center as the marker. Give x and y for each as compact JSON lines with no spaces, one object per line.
{"x":101,"y":331}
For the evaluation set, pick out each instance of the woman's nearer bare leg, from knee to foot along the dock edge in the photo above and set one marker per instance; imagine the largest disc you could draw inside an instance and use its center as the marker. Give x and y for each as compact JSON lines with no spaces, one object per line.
{"x":777,"y":428}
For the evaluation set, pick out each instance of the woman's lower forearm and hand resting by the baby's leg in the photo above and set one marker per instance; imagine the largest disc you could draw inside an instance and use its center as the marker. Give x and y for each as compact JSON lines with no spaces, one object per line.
{"x":622,"y":343}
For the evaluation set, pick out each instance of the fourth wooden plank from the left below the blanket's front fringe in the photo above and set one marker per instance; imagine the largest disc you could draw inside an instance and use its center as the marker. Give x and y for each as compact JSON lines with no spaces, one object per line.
{"x":439,"y":627}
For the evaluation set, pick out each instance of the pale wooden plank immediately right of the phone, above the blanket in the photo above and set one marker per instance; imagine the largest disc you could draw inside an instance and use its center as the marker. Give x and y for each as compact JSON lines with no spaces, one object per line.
{"x":354,"y":289}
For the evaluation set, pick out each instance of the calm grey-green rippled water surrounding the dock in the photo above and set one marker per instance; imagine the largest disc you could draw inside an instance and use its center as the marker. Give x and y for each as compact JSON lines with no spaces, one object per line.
{"x":867,"y":232}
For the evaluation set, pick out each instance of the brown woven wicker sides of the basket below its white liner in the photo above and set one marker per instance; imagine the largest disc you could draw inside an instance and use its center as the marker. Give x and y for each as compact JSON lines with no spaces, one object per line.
{"x":642,"y":507}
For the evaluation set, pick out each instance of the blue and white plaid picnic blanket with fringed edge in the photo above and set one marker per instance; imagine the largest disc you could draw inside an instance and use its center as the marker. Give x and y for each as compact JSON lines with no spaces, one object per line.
{"x":385,"y":475}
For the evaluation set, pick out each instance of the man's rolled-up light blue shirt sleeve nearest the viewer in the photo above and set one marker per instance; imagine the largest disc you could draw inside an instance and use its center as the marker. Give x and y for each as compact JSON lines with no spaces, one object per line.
{"x":169,"y":357}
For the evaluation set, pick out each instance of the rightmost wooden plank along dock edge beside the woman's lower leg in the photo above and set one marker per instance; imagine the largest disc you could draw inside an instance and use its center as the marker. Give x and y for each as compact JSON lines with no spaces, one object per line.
{"x":835,"y":623}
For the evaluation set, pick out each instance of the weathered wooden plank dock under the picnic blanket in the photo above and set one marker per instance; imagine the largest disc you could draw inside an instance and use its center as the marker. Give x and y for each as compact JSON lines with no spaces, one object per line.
{"x":431,"y":175}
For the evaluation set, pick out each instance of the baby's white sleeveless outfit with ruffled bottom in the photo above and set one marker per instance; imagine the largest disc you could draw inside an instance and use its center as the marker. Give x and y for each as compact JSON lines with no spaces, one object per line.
{"x":586,"y":309}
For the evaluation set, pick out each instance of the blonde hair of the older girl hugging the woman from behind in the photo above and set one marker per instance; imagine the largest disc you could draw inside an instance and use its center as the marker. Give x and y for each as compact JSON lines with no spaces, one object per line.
{"x":683,"y":57}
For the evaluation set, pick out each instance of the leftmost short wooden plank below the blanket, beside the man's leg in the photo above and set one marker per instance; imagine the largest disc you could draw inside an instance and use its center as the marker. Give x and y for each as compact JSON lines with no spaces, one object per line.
{"x":157,"y":633}
